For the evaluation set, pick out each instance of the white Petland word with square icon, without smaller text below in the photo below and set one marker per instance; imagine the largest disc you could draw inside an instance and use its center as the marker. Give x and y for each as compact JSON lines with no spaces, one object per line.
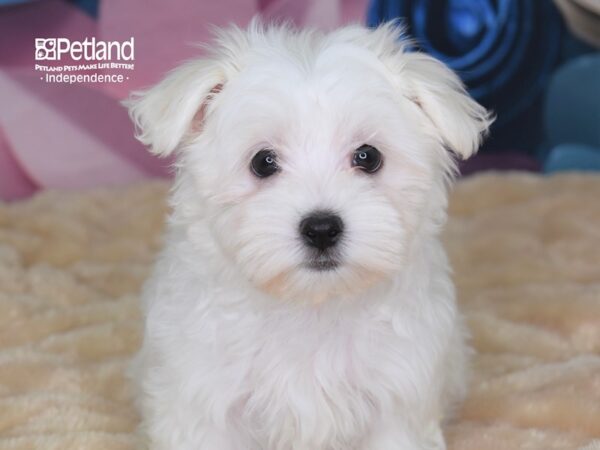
{"x":53,"y":49}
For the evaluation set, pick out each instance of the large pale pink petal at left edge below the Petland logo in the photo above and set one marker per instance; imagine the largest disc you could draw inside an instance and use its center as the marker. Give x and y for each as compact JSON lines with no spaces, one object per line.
{"x":71,"y":136}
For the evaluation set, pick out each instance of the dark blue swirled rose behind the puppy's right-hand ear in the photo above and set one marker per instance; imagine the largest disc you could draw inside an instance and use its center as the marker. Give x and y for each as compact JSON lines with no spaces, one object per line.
{"x":504,"y":50}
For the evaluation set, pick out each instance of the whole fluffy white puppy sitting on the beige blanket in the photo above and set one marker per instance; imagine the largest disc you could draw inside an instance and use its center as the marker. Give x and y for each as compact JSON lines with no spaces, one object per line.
{"x":303,"y":300}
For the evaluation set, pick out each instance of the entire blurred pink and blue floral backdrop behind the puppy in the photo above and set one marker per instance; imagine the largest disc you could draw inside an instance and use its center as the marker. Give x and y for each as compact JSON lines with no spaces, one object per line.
{"x":534,"y":62}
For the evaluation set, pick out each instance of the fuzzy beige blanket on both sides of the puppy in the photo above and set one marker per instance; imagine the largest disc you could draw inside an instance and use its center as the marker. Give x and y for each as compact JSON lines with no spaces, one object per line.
{"x":526,"y":252}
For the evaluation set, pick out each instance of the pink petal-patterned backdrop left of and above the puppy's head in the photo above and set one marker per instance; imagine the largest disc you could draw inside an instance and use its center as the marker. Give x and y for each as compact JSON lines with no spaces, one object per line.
{"x":74,"y":136}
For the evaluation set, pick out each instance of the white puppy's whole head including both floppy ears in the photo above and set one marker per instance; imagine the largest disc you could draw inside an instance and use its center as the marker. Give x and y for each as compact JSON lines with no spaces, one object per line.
{"x":314,"y":161}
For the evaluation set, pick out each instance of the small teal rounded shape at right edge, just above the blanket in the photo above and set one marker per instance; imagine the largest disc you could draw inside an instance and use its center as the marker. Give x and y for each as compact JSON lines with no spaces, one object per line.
{"x":573,"y":157}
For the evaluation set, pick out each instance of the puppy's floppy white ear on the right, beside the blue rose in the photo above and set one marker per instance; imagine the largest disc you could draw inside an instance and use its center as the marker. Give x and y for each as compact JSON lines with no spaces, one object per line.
{"x":460,"y":121}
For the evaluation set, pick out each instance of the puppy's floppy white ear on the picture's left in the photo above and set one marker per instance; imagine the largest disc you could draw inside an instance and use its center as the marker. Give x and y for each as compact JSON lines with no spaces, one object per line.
{"x":164,"y":114}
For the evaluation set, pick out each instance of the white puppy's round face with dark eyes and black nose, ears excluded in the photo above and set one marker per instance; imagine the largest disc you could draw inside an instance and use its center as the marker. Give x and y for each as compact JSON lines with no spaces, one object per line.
{"x":316,"y":176}
